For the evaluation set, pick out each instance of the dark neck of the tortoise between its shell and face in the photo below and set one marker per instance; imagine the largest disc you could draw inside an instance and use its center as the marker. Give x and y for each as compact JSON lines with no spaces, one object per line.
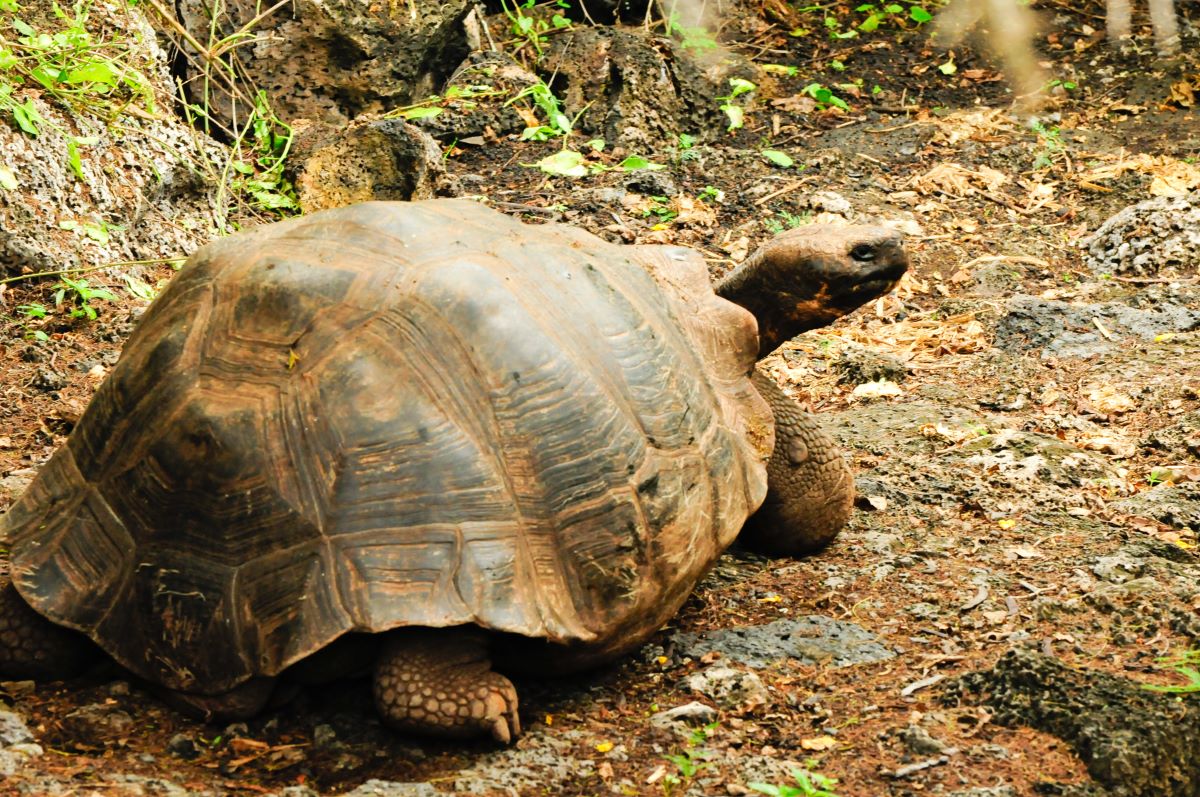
{"x":784,"y":307}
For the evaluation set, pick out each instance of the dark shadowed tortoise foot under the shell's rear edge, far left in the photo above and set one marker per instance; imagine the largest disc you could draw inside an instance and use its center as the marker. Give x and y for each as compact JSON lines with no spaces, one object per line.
{"x":34,"y":648}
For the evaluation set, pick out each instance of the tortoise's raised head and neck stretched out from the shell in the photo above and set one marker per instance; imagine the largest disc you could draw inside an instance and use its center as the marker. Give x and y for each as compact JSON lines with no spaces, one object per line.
{"x":809,"y":277}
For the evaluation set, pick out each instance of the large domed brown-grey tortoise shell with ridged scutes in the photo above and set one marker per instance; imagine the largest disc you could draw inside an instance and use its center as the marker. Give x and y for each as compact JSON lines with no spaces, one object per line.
{"x":399,"y":415}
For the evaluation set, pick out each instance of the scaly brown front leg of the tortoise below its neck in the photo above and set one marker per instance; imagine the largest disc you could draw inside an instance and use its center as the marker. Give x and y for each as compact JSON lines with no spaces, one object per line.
{"x":811,"y":489}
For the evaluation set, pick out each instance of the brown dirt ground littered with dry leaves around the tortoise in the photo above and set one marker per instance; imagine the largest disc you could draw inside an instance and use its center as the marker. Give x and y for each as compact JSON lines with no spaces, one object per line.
{"x":1024,"y":424}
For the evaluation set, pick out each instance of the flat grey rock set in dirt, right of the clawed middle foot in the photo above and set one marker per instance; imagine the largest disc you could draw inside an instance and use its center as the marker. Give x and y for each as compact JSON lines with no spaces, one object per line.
{"x":809,"y":640}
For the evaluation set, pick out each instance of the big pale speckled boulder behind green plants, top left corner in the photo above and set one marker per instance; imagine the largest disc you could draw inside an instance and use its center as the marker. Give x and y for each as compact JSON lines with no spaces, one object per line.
{"x":140,"y":196}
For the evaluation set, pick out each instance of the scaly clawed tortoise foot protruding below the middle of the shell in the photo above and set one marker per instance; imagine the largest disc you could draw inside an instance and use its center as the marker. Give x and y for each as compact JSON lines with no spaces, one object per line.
{"x":440,"y":682}
